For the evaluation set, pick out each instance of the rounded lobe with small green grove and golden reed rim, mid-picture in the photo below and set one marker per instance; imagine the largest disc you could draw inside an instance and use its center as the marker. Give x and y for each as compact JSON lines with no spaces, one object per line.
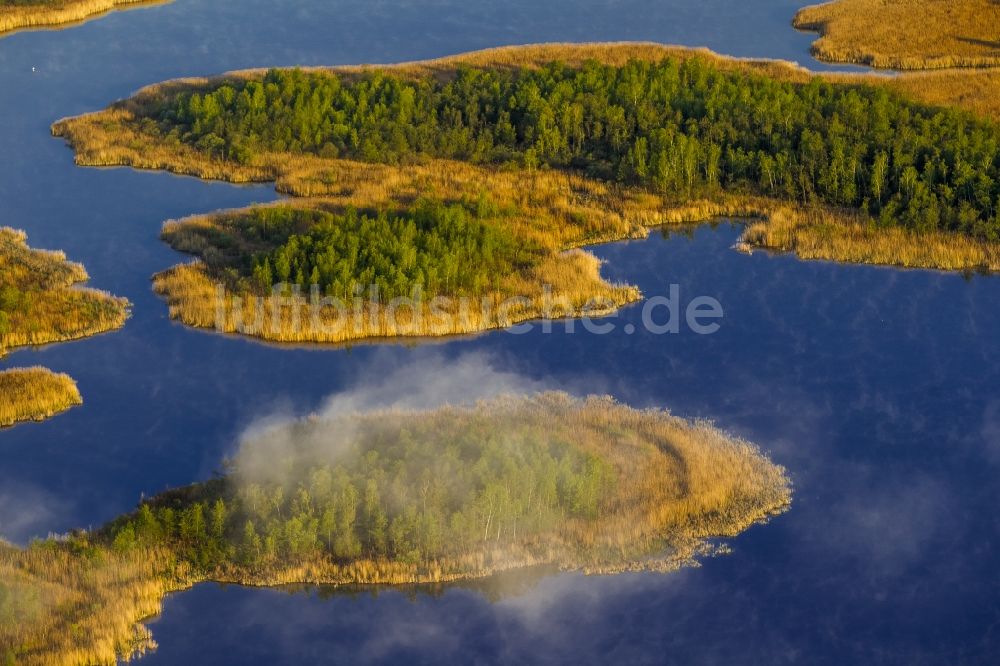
{"x":421,"y":269}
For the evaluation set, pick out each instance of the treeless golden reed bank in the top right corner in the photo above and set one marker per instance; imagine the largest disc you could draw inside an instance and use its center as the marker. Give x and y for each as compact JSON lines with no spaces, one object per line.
{"x":905,"y":34}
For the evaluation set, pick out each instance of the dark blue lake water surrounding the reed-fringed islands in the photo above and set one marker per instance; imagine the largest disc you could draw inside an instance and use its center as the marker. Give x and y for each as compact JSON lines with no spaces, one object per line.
{"x":878,"y":389}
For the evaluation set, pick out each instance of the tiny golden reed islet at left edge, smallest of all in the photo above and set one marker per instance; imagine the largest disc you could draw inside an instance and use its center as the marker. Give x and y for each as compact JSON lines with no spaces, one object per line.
{"x":35,"y":394}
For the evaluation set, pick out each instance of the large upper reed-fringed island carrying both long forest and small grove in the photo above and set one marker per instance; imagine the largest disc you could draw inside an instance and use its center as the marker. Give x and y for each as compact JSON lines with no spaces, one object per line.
{"x":551,"y":148}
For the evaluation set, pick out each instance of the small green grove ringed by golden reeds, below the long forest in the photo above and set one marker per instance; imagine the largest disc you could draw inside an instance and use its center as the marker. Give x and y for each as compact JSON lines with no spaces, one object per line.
{"x":441,"y":249}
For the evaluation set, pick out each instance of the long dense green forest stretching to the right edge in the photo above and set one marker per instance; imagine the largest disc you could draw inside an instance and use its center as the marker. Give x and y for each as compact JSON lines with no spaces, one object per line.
{"x":679,"y":128}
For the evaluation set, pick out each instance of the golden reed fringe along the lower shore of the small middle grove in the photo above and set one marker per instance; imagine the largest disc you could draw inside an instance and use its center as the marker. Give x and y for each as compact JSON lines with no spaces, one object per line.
{"x":577,"y":289}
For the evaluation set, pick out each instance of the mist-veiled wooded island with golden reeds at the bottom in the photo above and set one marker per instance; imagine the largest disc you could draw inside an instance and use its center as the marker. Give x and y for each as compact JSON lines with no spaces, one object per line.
{"x":396,"y":496}
